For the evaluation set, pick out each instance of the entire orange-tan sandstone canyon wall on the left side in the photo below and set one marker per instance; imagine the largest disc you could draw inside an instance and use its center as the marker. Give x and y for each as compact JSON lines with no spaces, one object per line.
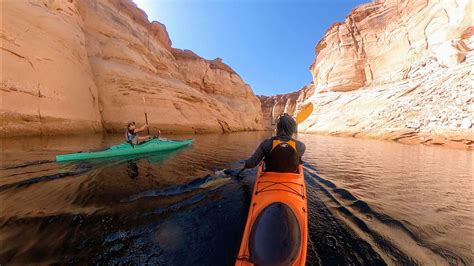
{"x":81,"y":66}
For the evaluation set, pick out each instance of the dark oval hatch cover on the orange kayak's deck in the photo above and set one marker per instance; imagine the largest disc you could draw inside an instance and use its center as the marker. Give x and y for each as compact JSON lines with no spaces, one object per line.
{"x":275,"y":238}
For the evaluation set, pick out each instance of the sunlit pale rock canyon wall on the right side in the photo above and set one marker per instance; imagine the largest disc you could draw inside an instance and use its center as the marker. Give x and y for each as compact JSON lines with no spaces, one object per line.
{"x":398,"y":70}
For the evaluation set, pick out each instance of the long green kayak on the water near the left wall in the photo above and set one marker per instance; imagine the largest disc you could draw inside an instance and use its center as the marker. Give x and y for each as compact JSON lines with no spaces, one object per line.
{"x":152,"y":145}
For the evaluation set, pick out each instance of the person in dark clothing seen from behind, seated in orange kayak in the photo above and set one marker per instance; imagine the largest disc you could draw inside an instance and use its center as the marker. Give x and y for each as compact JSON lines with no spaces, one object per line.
{"x":280,"y":153}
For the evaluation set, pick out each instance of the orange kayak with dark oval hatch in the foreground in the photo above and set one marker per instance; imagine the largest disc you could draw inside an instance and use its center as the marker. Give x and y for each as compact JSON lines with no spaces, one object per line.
{"x":276,"y":231}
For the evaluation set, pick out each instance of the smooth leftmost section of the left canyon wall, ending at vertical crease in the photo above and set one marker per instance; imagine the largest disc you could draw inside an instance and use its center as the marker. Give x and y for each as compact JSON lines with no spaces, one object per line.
{"x":46,"y":80}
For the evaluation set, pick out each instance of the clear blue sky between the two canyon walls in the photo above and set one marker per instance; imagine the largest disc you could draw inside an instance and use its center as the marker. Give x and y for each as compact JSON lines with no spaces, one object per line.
{"x":269,"y":43}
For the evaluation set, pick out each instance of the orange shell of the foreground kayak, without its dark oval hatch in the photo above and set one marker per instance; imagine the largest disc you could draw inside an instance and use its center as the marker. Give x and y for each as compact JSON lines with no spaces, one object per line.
{"x":285,"y":189}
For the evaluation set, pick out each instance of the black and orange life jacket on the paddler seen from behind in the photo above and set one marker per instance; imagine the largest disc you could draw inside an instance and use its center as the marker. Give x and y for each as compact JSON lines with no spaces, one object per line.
{"x":283,"y":158}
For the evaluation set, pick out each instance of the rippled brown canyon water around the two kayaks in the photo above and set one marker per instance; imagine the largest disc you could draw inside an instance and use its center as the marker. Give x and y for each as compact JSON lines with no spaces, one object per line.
{"x":370,"y":202}
